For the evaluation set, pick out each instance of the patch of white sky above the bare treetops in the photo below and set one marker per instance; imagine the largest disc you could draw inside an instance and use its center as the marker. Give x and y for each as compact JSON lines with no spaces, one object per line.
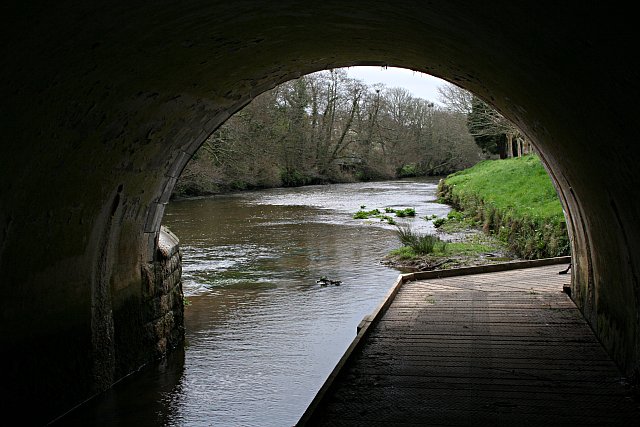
{"x":419,"y":84}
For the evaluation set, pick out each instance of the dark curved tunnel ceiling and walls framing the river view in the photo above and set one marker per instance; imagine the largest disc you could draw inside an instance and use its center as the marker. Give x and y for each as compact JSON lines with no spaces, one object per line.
{"x":103,"y":104}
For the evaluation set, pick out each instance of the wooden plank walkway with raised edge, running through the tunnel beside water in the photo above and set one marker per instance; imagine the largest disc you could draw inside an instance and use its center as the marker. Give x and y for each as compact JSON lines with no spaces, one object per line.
{"x":501,"y":349}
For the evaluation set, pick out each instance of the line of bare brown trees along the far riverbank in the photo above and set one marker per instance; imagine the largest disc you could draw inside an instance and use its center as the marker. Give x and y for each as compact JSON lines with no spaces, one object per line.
{"x":326,"y":127}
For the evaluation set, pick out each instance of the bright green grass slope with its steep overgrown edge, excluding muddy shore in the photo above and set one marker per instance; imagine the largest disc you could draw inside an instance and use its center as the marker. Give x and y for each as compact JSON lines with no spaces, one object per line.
{"x":513,"y":199}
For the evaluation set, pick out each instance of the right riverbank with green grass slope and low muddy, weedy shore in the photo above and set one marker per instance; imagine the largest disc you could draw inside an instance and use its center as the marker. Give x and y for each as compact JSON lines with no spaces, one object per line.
{"x":503,"y":210}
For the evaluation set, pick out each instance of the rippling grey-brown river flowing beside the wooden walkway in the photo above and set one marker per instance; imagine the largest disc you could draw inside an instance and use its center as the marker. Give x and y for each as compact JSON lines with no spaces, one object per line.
{"x":261,"y":335}
